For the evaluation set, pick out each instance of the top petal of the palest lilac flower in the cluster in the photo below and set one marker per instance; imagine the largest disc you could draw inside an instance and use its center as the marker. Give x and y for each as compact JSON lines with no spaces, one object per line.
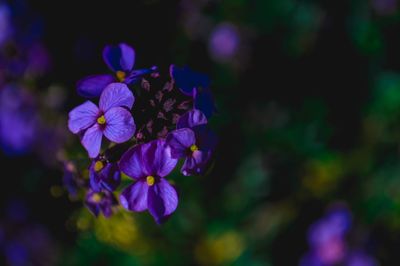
{"x":116,"y":94}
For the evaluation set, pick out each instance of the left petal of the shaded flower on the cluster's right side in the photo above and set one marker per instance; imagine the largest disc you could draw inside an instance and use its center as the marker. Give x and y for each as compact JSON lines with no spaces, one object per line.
{"x":180,"y":141}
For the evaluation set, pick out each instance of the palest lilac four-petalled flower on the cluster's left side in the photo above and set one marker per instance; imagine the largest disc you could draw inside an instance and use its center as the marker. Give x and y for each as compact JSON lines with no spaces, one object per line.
{"x":110,"y":119}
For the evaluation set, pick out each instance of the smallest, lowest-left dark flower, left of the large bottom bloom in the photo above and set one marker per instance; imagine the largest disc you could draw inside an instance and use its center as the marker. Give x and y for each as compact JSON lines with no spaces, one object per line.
{"x":100,"y":202}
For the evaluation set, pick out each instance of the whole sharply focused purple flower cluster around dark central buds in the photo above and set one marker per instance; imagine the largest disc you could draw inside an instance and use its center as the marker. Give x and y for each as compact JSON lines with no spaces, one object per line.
{"x":142,"y":126}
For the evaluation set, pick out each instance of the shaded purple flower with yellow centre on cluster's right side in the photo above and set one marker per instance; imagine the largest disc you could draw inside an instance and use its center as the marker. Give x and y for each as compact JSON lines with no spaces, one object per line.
{"x":192,"y":141}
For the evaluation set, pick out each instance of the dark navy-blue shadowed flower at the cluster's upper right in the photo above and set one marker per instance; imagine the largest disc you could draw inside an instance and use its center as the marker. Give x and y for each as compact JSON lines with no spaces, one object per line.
{"x":195,"y":85}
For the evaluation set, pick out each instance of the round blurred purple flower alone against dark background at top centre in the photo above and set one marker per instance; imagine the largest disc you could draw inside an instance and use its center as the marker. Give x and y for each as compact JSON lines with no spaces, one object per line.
{"x":224,"y":42}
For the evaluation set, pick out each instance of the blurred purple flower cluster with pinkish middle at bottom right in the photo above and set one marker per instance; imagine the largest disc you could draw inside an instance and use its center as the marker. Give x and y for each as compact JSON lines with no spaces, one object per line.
{"x":328,"y":242}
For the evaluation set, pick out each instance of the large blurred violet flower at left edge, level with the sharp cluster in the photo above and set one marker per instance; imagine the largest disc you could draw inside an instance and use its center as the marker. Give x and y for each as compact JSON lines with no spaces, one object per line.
{"x":18,"y":120}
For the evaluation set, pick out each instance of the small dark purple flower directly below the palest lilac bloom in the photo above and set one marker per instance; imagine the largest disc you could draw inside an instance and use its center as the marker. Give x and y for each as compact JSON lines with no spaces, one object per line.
{"x":104,"y":175}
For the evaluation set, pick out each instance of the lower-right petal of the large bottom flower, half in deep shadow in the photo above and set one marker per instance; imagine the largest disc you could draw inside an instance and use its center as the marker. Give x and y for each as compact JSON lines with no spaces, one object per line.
{"x":162,"y":200}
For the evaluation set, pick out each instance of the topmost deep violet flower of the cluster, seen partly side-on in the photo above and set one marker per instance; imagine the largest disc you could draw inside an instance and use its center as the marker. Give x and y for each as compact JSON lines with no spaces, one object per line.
{"x":120,"y":59}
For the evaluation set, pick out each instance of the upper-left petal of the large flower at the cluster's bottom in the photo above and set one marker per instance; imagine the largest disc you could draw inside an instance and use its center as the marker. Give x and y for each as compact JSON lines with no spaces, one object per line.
{"x":132,"y":164}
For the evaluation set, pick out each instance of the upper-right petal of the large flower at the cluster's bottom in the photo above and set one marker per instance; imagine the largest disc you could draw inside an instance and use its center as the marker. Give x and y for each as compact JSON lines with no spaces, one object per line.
{"x":158,"y":159}
